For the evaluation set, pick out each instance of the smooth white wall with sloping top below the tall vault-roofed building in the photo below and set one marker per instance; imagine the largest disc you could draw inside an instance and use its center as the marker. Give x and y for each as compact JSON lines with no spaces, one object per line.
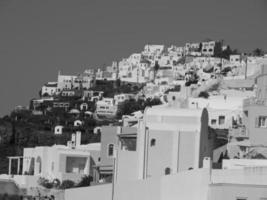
{"x":189,"y":185}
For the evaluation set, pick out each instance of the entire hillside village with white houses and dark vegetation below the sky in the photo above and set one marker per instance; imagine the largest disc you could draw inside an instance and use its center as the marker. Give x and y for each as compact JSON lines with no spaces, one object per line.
{"x":155,"y":125}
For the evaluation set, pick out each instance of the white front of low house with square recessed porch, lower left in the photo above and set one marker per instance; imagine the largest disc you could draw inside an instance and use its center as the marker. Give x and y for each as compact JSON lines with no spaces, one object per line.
{"x":58,"y":161}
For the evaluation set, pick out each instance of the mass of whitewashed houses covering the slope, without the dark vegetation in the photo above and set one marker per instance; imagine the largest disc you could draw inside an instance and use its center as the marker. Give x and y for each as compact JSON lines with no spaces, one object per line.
{"x":190,"y":147}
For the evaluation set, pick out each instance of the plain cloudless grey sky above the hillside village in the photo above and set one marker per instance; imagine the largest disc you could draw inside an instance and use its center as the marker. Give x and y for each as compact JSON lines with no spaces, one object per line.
{"x":40,"y":37}
